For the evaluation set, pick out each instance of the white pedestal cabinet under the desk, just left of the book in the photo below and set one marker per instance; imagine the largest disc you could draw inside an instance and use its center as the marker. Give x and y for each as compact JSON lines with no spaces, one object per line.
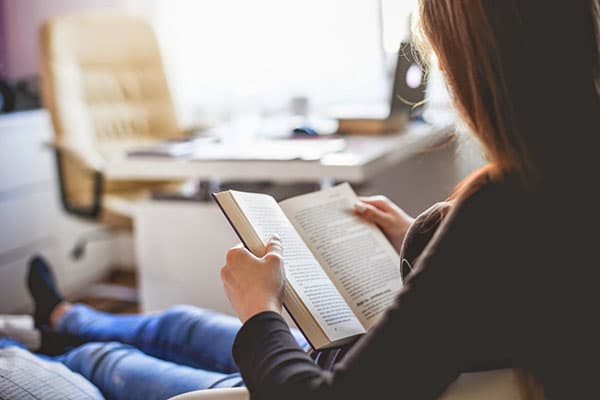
{"x":180,"y":248}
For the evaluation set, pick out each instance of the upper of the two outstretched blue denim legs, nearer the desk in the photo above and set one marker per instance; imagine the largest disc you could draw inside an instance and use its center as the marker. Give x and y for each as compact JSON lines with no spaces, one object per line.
{"x":183,"y":334}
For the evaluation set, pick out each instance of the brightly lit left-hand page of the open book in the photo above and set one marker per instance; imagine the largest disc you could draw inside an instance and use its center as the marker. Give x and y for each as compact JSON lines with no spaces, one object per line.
{"x":302,"y":269}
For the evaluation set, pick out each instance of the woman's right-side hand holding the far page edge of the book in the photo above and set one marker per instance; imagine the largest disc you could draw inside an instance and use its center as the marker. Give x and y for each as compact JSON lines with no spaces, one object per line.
{"x":390,"y":218}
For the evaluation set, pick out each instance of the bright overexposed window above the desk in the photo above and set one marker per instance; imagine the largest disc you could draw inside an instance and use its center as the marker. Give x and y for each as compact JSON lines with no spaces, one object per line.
{"x":237,"y":54}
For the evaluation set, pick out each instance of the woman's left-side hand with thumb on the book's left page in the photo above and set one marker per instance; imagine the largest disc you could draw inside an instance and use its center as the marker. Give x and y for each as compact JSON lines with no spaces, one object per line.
{"x":253,"y":284}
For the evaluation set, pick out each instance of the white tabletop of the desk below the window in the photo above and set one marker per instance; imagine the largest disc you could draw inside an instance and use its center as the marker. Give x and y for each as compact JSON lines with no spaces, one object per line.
{"x":363,"y":158}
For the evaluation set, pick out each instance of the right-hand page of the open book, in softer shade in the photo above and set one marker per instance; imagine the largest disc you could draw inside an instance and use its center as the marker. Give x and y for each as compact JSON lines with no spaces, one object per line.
{"x":357,"y":256}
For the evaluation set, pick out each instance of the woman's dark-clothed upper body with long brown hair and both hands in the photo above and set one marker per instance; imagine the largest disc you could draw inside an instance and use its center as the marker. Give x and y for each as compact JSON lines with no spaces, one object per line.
{"x":509,"y":278}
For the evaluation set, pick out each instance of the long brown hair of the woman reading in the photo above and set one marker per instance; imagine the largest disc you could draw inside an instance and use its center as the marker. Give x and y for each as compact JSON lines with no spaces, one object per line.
{"x":522,"y":75}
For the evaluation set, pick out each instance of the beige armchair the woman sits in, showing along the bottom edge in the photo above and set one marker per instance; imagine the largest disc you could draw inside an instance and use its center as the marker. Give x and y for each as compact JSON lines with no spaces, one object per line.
{"x":492,"y":385}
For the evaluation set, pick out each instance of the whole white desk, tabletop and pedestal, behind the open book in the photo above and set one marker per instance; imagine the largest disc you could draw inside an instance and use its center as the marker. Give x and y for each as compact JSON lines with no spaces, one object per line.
{"x":180,"y":245}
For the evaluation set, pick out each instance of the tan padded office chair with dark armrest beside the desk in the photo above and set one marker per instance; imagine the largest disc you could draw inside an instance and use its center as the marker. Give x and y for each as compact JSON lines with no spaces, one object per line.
{"x":104,"y":86}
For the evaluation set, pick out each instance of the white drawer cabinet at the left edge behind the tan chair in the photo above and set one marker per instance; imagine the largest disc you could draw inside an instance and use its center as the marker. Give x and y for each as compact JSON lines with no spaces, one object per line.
{"x":31,"y":219}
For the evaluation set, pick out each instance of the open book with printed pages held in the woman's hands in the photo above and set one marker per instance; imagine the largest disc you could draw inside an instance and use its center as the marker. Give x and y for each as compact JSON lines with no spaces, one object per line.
{"x":341,"y":272}
